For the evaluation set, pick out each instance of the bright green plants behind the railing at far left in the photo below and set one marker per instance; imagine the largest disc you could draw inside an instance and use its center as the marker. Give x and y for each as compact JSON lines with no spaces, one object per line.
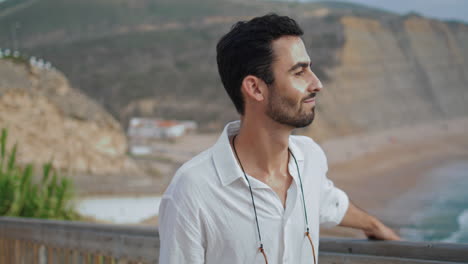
{"x":21,"y":197}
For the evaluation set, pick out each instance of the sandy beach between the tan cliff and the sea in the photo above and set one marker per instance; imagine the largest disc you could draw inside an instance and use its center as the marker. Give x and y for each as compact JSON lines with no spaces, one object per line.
{"x":382,"y":181}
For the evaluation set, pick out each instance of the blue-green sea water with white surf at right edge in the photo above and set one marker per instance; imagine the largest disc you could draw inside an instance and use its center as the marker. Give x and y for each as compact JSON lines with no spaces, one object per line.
{"x":443,"y":214}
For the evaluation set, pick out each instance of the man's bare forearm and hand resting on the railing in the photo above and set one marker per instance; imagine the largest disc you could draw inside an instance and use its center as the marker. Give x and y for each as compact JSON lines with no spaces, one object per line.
{"x":372,"y":227}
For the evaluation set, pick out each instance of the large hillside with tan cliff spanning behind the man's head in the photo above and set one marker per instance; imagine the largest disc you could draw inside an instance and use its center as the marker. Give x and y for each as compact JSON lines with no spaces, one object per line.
{"x":157,"y":58}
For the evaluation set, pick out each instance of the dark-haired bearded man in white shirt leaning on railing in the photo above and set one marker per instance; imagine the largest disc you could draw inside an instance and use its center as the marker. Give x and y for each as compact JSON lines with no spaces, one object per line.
{"x":259,"y":194}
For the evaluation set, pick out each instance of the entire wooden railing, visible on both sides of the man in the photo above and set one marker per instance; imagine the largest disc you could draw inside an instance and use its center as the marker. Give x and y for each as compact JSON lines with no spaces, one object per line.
{"x":25,"y":241}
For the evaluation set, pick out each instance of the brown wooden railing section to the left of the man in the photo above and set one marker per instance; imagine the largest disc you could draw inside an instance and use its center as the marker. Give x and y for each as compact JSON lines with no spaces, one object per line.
{"x":56,"y":242}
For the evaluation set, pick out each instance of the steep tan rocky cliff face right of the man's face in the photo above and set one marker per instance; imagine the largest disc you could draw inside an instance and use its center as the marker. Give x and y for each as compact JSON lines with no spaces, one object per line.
{"x":392,"y":73}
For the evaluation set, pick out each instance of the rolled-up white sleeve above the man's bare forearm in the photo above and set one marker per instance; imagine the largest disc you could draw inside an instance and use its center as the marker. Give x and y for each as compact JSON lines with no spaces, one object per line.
{"x":333,"y":204}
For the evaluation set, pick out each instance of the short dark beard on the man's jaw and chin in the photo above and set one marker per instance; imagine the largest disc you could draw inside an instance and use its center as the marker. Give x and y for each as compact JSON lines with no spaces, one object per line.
{"x":286,"y":111}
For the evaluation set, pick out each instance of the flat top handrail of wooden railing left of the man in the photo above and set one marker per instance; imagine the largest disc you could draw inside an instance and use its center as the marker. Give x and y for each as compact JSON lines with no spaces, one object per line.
{"x":127,"y":242}
